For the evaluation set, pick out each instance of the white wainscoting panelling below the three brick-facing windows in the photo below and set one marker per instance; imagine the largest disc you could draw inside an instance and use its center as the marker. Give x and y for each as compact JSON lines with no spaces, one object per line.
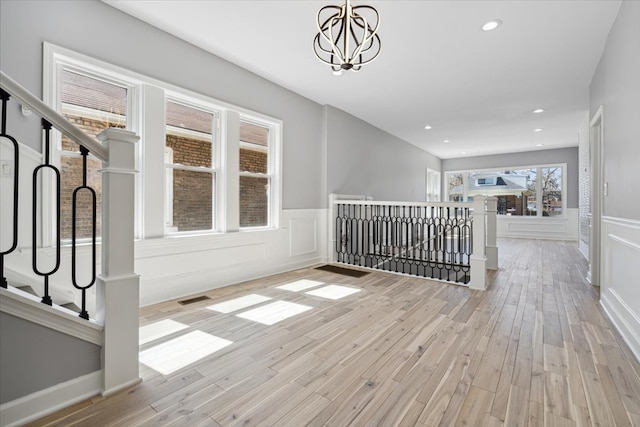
{"x":176,"y":267}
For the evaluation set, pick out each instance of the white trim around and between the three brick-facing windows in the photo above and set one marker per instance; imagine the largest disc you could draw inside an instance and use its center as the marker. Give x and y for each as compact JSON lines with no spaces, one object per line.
{"x":56,"y":56}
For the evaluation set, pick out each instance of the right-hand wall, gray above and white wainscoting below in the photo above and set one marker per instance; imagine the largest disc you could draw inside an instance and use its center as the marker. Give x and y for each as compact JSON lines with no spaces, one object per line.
{"x":616,"y":86}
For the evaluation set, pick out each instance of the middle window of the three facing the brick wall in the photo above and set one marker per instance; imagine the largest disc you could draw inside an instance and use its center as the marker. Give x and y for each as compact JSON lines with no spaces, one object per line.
{"x":190,"y":160}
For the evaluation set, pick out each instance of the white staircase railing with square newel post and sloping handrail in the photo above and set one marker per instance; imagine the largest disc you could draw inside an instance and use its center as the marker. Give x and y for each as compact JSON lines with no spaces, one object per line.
{"x":117,"y":293}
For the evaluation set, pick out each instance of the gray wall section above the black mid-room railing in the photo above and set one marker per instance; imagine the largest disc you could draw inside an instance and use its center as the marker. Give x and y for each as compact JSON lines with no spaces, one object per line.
{"x":363,"y":159}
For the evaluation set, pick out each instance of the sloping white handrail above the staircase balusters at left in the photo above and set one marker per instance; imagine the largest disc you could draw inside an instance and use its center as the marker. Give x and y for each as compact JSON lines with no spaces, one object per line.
{"x":56,"y":119}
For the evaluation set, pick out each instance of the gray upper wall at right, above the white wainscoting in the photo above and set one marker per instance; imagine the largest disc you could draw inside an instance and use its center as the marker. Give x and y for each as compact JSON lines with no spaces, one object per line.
{"x":616,"y":86}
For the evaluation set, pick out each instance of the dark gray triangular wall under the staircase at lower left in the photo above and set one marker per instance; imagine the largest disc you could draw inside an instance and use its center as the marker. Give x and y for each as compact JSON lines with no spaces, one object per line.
{"x":33,"y":357}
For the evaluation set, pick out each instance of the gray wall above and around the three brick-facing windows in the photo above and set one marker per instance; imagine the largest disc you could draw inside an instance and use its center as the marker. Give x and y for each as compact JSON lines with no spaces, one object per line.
{"x":98,"y":30}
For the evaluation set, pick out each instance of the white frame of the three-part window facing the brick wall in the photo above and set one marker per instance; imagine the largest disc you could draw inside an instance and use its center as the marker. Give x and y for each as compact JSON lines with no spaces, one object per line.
{"x":226,"y":178}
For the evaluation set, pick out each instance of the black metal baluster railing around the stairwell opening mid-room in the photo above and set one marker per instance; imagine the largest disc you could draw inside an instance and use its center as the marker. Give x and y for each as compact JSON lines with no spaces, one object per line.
{"x":421,"y":240}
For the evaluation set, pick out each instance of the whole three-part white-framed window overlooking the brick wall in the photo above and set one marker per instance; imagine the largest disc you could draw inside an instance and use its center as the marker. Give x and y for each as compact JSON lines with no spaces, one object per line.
{"x":187,"y":182}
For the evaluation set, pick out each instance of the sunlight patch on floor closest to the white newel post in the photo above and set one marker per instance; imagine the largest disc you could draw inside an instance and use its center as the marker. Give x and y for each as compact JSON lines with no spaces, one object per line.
{"x":180,"y":352}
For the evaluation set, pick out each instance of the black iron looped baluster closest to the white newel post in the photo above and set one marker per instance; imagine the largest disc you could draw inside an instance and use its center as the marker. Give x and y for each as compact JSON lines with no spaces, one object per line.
{"x":84,"y":187}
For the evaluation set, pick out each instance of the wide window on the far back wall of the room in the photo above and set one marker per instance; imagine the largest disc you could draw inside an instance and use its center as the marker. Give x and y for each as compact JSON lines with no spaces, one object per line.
{"x":531,"y":191}
